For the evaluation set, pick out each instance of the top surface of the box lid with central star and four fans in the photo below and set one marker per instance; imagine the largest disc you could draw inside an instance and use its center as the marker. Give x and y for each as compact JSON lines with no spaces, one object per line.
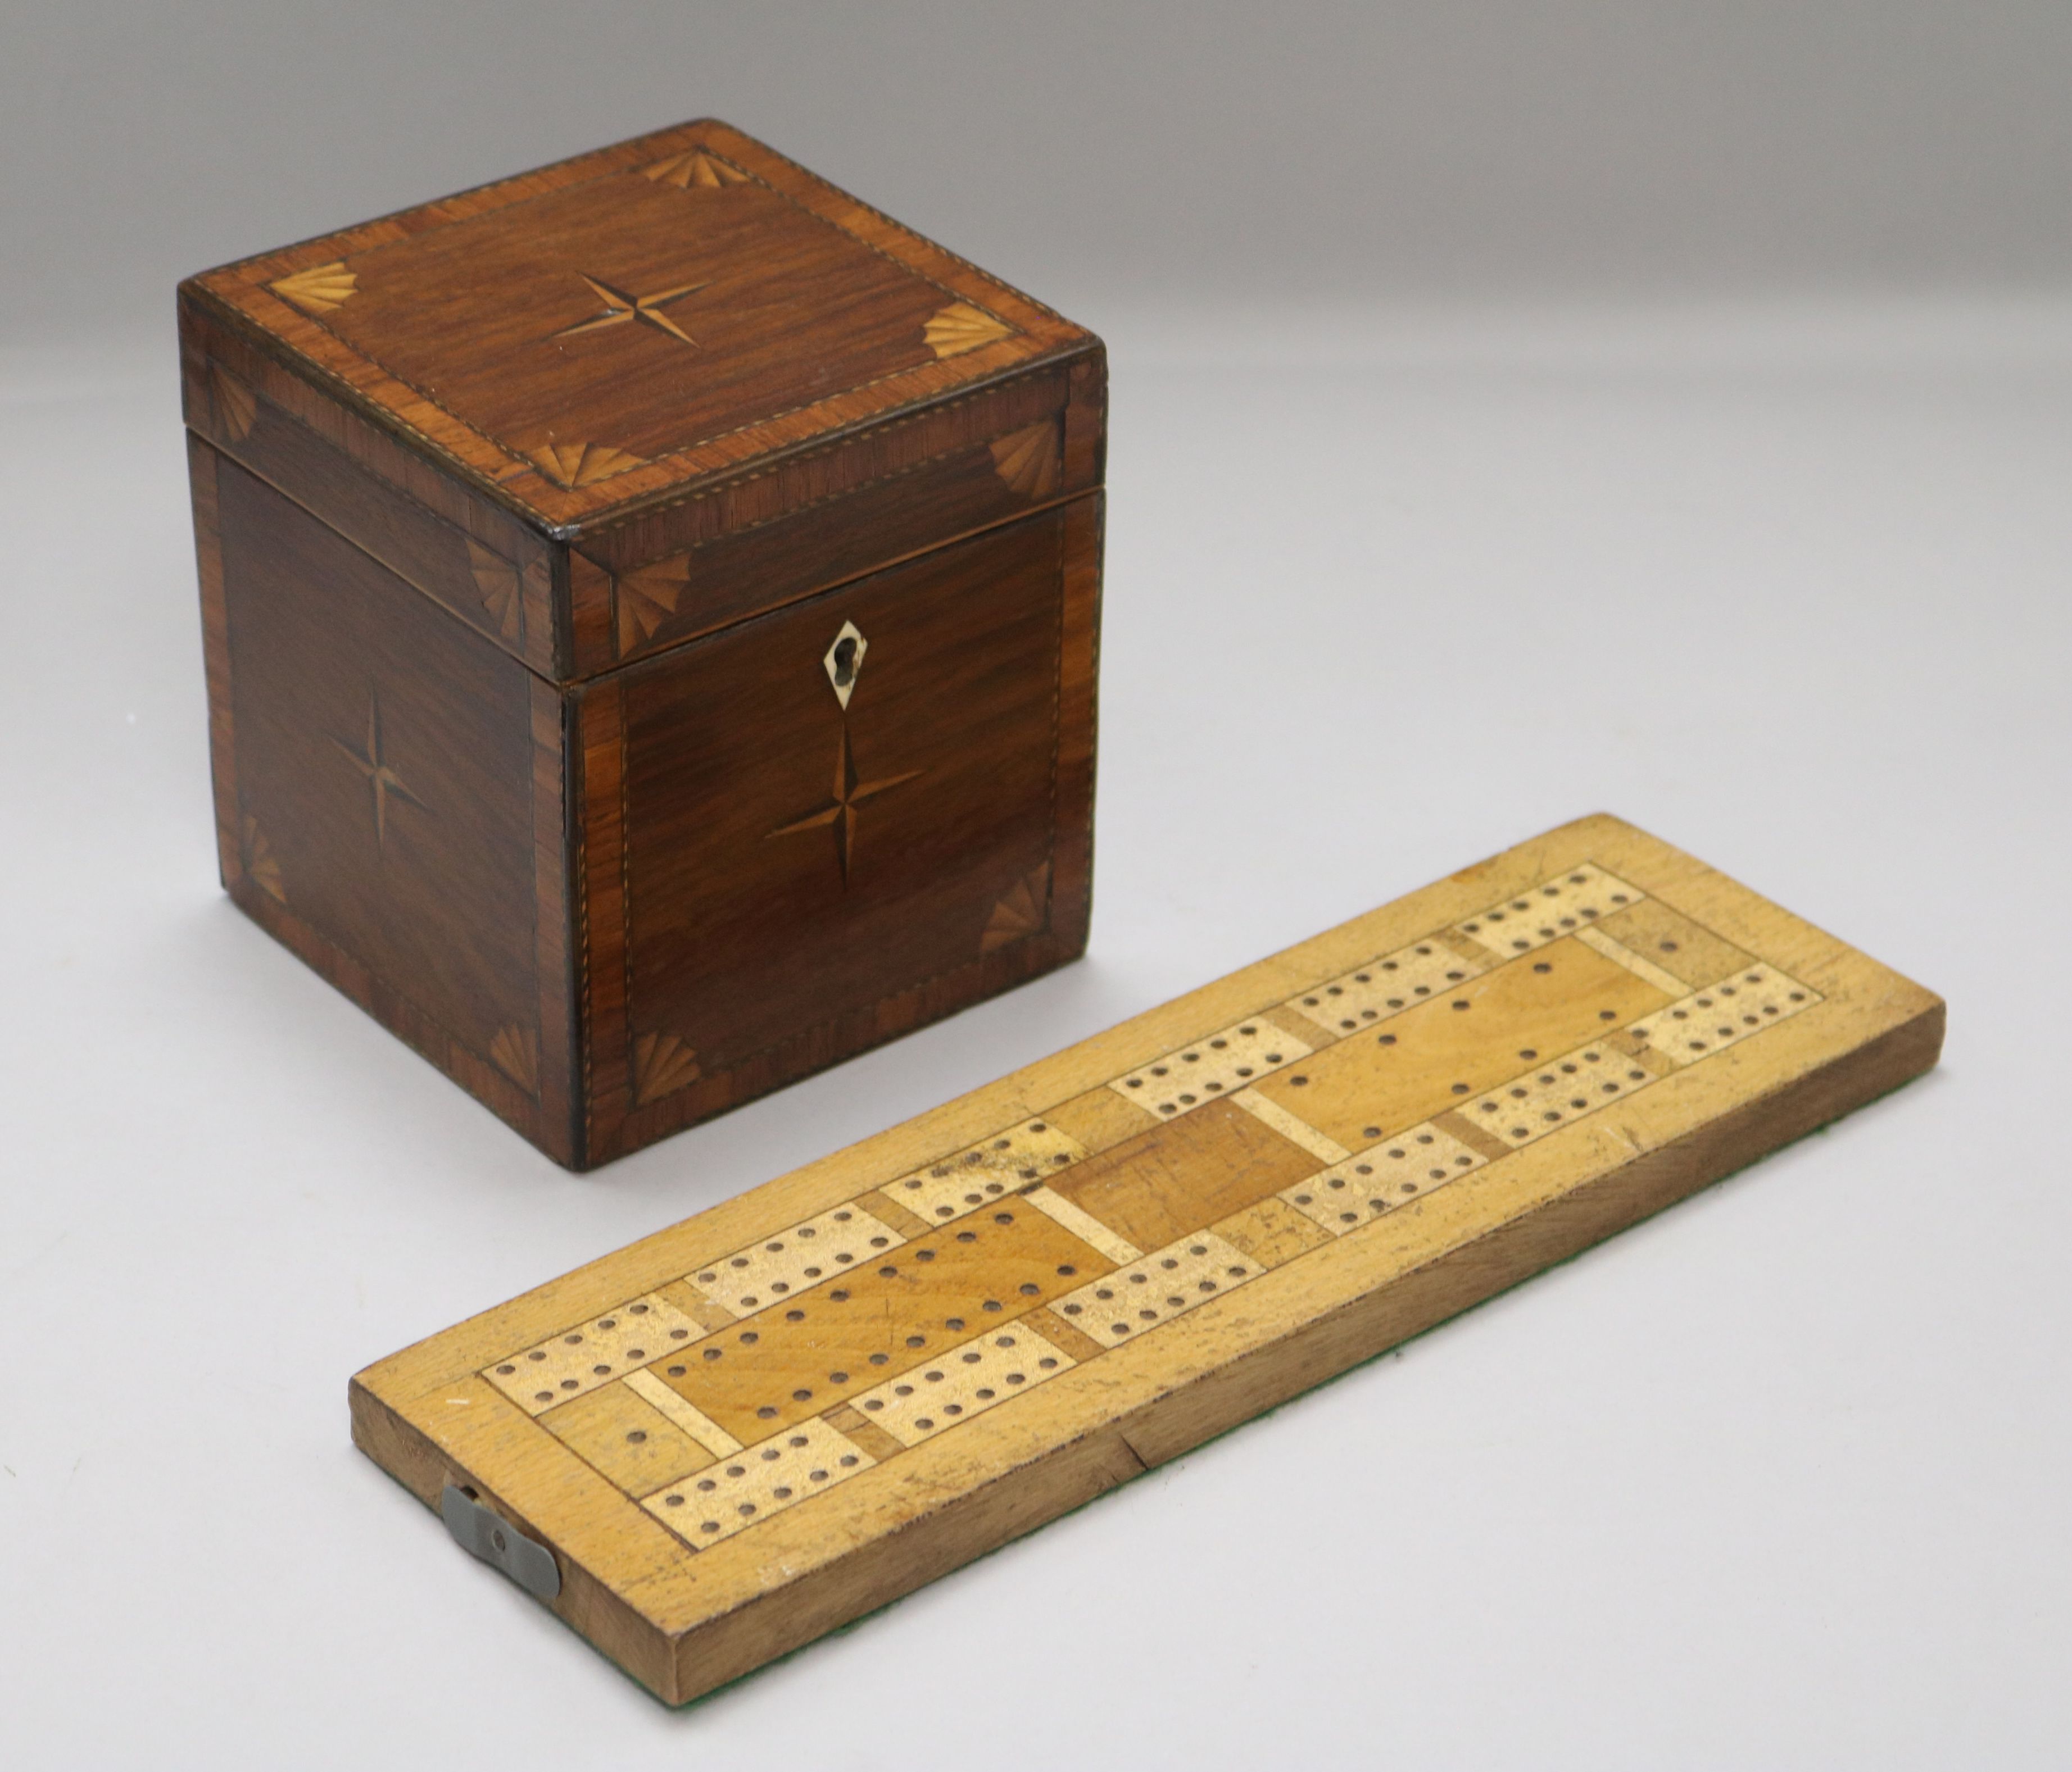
{"x":618,"y":331}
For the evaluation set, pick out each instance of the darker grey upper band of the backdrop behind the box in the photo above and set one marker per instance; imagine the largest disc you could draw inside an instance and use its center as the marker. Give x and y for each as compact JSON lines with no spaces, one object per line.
{"x":1095,"y":150}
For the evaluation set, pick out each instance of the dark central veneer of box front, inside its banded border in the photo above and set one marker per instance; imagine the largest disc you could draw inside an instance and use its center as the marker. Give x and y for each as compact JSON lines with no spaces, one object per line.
{"x":855,"y":789}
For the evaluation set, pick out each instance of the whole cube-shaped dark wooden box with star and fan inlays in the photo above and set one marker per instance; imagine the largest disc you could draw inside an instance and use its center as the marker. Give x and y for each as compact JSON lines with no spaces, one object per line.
{"x":652,"y":623}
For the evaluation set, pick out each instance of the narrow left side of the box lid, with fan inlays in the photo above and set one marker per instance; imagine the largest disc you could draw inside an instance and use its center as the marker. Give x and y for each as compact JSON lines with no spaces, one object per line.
{"x":473,"y":559}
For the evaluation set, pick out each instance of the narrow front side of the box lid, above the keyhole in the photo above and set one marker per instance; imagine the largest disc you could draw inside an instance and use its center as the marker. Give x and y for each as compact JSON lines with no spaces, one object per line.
{"x":828,"y":515}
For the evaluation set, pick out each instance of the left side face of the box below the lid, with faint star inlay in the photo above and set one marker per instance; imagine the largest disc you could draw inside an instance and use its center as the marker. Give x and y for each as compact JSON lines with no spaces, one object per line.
{"x":395,"y":813}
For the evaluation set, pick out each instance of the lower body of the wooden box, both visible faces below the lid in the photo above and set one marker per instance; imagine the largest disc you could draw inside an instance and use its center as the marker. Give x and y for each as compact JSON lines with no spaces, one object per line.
{"x":618,"y":909}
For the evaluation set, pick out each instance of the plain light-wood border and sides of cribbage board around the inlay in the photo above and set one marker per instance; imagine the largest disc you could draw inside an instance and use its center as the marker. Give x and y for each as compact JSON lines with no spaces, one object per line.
{"x":958,"y":1502}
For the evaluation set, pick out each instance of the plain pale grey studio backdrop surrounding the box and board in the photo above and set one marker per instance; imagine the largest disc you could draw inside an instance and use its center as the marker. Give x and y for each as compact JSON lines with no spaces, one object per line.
{"x":1677,"y":426}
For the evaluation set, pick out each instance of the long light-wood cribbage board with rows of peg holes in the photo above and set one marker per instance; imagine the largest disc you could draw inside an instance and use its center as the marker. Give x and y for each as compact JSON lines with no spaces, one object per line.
{"x":784,"y":1412}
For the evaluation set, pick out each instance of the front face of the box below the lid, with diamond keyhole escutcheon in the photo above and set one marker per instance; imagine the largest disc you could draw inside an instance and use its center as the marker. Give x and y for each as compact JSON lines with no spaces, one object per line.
{"x":840,"y":822}
